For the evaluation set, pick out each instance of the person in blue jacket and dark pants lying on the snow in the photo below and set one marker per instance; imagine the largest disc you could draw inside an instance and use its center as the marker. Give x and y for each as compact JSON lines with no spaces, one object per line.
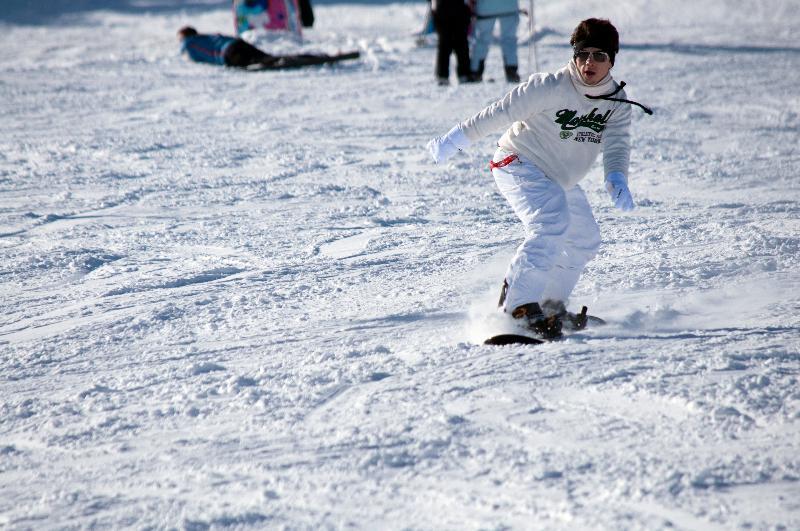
{"x":231,"y":51}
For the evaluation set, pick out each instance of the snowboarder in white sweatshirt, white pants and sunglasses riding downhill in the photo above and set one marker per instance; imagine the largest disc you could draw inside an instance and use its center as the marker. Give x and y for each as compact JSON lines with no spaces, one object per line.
{"x":557,"y":126}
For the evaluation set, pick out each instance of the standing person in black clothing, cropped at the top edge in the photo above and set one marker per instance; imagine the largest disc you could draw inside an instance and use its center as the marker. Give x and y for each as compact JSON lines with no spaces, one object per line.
{"x":451,"y":18}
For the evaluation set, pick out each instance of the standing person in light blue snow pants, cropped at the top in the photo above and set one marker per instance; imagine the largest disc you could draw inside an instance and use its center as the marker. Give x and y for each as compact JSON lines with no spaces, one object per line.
{"x":487,"y":12}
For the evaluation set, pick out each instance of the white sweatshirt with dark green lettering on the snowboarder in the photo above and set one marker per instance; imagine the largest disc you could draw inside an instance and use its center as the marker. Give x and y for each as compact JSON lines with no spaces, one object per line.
{"x":554,"y":125}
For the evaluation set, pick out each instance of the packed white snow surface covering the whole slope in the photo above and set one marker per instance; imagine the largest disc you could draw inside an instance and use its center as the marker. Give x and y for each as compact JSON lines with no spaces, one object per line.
{"x":233,"y":300}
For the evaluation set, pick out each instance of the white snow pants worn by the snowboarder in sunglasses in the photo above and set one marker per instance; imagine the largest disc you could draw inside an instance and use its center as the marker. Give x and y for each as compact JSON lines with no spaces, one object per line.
{"x":561,"y":234}
